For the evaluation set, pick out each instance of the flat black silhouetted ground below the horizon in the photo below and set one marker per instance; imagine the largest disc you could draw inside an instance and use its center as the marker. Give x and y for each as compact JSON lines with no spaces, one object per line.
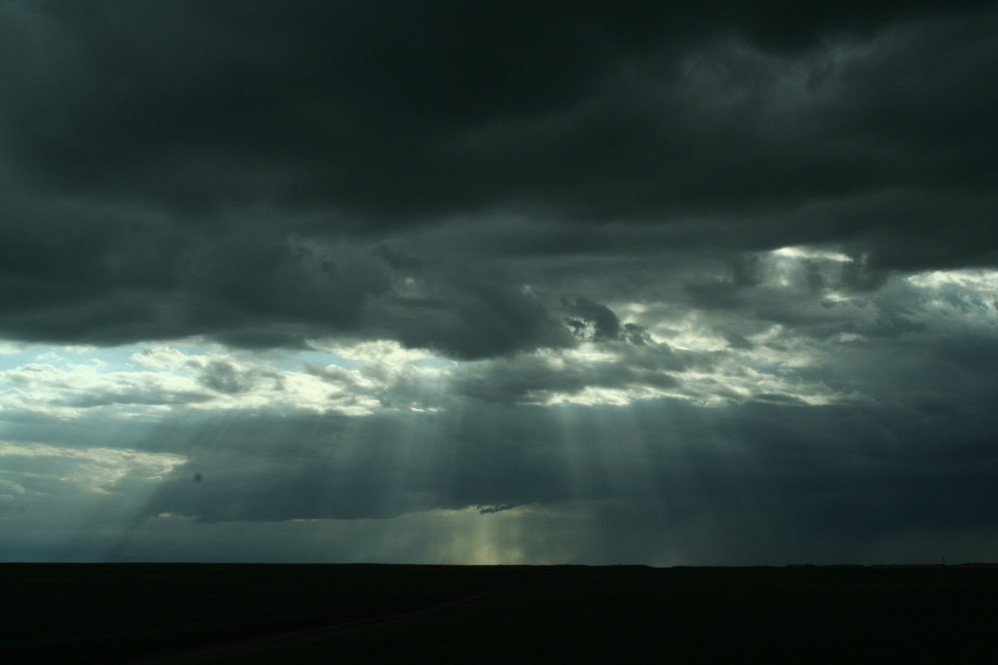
{"x":144,"y":613}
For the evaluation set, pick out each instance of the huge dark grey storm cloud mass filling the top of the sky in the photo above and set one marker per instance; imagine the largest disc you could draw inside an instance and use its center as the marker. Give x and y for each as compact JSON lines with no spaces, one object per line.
{"x":252,"y":171}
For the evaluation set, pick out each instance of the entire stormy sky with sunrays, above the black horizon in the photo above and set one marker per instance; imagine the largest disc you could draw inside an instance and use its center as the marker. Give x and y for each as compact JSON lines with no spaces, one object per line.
{"x":707,"y":283}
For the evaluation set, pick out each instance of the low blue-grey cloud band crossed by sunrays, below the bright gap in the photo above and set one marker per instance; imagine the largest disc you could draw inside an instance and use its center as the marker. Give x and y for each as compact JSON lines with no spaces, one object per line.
{"x":829,"y":472}
